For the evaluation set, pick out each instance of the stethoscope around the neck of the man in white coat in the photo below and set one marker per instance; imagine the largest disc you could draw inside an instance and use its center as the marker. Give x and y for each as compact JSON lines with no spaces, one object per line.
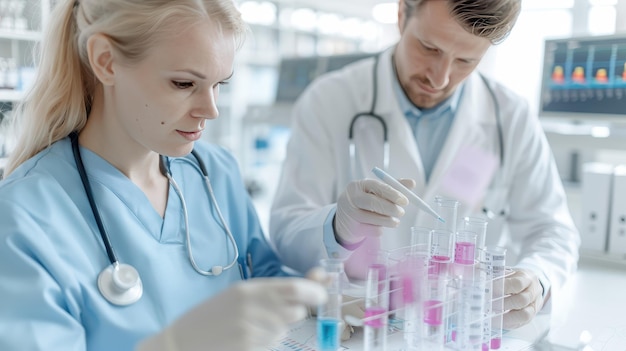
{"x":372,"y":113}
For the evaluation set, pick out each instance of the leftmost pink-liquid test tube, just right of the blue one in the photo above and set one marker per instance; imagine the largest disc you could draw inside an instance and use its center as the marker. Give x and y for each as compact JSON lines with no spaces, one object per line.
{"x":376,"y":308}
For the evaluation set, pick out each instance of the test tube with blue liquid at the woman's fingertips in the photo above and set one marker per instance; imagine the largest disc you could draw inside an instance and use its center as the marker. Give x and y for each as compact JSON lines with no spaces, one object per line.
{"x":329,"y":321}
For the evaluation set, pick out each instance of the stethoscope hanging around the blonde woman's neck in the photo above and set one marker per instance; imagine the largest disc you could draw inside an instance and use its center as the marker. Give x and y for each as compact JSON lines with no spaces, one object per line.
{"x":119,"y":283}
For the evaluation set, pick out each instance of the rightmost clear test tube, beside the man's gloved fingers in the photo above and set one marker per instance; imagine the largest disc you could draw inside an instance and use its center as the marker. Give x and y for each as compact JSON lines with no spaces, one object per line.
{"x":495,"y":257}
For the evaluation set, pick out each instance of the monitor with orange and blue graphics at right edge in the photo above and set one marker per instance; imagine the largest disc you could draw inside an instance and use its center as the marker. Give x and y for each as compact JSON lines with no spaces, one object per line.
{"x":584,"y":78}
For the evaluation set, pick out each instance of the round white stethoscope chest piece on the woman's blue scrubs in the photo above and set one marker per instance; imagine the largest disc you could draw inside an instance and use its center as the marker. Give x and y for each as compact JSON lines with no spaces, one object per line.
{"x":120,"y":284}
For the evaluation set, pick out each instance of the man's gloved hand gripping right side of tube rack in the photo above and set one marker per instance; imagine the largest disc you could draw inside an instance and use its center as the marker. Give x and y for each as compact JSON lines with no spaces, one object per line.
{"x":523,"y":300}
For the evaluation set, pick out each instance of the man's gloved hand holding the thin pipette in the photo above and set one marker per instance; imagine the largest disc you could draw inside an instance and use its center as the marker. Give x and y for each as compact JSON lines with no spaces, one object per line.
{"x":367,"y":205}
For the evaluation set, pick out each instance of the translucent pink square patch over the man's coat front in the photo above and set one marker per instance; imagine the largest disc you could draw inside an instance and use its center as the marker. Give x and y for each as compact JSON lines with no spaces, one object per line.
{"x":469,"y":175}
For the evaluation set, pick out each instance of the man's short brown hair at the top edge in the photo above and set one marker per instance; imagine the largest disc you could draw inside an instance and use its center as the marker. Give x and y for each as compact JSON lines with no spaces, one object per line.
{"x":490,"y":19}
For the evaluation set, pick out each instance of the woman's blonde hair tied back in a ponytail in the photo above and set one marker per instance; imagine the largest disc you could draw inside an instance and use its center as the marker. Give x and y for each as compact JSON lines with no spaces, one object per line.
{"x":60,"y":98}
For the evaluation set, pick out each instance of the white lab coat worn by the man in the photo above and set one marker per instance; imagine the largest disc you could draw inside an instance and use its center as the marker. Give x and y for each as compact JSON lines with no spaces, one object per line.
{"x":537,"y":229}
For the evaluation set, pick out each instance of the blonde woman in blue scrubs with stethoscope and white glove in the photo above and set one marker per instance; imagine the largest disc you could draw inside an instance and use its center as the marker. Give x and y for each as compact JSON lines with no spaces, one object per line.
{"x":113,"y":235}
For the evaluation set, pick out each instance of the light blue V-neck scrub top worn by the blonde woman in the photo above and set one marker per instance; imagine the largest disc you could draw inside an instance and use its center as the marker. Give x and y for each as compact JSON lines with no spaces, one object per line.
{"x":51,"y":251}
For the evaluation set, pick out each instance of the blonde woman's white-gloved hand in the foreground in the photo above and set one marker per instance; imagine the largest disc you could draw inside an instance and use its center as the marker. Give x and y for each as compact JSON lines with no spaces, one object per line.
{"x":250,"y":315}
